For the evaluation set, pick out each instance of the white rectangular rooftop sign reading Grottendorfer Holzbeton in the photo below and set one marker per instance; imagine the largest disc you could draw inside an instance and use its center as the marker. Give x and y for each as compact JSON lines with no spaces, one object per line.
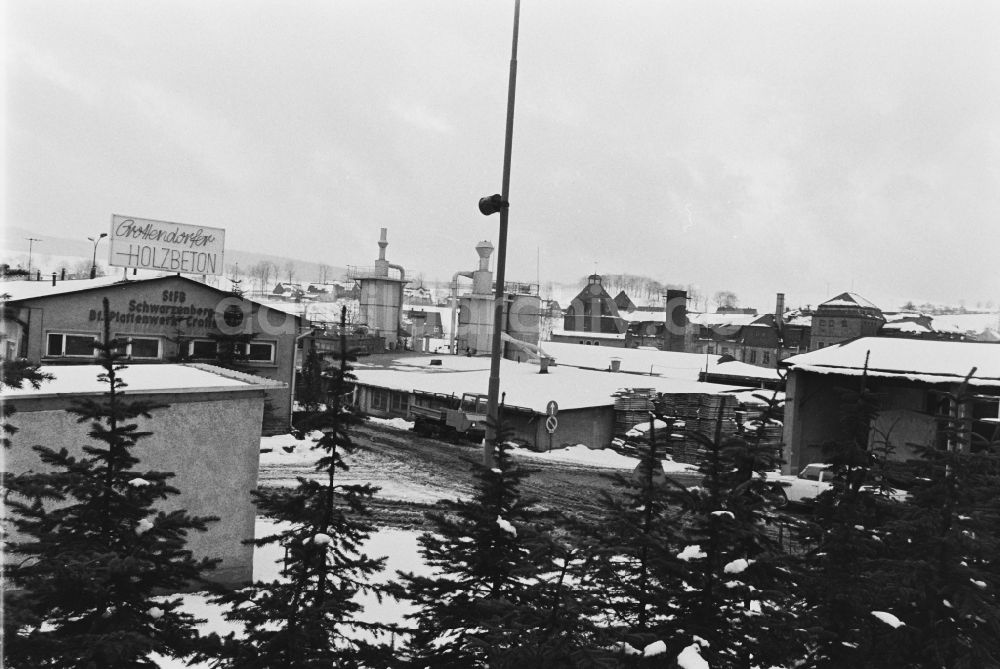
{"x":167,"y":247}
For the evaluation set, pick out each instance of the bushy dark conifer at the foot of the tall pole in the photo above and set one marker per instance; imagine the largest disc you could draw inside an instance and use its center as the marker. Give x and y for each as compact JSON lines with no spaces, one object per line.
{"x":501,"y":592}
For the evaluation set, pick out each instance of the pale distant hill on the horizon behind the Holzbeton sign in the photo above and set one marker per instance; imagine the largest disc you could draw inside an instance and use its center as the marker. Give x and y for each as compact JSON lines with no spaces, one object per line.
{"x":52,"y":251}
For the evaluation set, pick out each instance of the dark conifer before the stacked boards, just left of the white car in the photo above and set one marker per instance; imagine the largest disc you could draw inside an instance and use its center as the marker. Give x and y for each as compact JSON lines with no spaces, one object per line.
{"x":735,"y":585}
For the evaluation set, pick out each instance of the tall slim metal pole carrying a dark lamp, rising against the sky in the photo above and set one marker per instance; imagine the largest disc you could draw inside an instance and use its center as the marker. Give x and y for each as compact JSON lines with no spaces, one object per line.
{"x":492,"y":404}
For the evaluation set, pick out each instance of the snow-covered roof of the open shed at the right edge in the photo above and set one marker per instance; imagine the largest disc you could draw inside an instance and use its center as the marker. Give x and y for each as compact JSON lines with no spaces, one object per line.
{"x":929,"y":361}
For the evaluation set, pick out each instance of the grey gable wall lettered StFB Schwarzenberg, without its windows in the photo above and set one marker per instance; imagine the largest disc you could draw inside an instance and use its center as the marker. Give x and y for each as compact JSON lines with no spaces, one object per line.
{"x":164,"y":308}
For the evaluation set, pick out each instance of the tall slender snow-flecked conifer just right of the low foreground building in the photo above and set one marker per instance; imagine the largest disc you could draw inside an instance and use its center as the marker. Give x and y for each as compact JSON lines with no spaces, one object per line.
{"x":308,"y":617}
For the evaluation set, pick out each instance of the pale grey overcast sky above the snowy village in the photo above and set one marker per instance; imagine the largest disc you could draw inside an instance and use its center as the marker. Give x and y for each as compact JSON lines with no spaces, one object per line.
{"x":803,"y":147}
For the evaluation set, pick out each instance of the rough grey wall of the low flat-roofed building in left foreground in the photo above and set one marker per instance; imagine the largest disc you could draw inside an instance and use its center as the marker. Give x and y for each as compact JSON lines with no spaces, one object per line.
{"x":211,"y":441}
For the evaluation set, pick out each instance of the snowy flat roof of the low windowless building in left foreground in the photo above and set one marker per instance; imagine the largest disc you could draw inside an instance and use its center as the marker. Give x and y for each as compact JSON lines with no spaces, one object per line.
{"x":78,"y":380}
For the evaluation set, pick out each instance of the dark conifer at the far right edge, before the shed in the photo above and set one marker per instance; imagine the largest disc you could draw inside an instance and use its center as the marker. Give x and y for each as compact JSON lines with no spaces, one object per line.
{"x":944,"y":553}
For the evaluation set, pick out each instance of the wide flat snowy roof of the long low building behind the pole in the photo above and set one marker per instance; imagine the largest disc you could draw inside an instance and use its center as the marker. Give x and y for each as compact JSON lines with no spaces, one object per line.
{"x":571,"y":387}
